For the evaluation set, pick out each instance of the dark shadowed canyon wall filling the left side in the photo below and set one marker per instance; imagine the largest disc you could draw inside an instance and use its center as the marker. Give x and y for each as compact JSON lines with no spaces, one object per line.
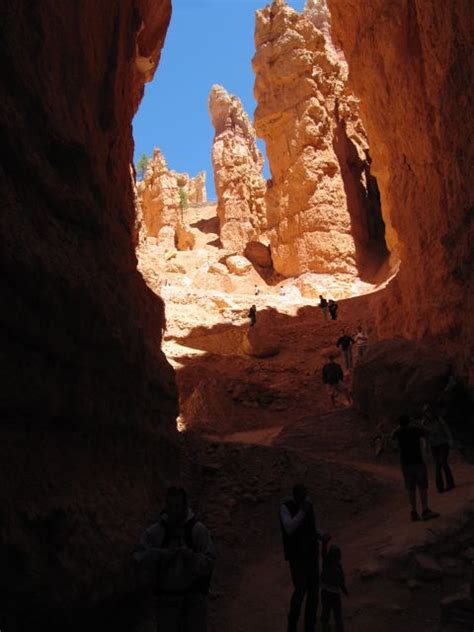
{"x":89,"y":401}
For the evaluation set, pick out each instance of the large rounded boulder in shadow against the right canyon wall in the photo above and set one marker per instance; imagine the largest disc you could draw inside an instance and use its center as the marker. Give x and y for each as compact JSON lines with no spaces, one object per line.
{"x":398,"y":376}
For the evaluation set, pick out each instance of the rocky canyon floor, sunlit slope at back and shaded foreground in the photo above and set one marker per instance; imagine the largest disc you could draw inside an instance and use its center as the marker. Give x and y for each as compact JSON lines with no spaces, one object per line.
{"x":253,"y":426}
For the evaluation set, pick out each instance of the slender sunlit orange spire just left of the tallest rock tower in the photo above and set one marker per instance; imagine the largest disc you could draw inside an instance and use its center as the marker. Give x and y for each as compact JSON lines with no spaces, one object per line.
{"x":238,"y":164}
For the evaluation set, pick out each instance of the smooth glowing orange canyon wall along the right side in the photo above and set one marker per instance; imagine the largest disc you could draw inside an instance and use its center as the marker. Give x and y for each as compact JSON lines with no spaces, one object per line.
{"x":411,"y":64}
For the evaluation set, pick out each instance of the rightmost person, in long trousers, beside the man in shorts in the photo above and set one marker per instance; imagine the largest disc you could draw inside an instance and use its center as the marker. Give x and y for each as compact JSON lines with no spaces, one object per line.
{"x":440,"y":441}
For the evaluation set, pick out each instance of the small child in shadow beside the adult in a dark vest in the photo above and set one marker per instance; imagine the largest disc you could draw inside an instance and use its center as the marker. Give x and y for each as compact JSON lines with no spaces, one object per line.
{"x":332,"y":584}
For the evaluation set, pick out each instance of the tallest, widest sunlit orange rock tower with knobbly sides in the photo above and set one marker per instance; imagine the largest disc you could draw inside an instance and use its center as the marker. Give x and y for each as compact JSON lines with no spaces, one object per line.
{"x":318,"y":201}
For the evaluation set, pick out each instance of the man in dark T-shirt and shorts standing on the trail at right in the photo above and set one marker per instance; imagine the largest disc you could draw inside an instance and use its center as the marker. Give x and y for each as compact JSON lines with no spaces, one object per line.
{"x":413,"y":466}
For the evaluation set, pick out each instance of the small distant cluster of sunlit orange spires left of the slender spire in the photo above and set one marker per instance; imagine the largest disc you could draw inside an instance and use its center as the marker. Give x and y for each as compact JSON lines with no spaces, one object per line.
{"x":162,"y":197}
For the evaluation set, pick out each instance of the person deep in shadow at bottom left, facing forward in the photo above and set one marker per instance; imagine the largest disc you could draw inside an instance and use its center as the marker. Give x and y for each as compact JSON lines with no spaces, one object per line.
{"x":179,"y":552}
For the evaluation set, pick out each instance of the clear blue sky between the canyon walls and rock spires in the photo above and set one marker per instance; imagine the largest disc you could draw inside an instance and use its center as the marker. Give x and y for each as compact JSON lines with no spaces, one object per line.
{"x":208,"y":41}
